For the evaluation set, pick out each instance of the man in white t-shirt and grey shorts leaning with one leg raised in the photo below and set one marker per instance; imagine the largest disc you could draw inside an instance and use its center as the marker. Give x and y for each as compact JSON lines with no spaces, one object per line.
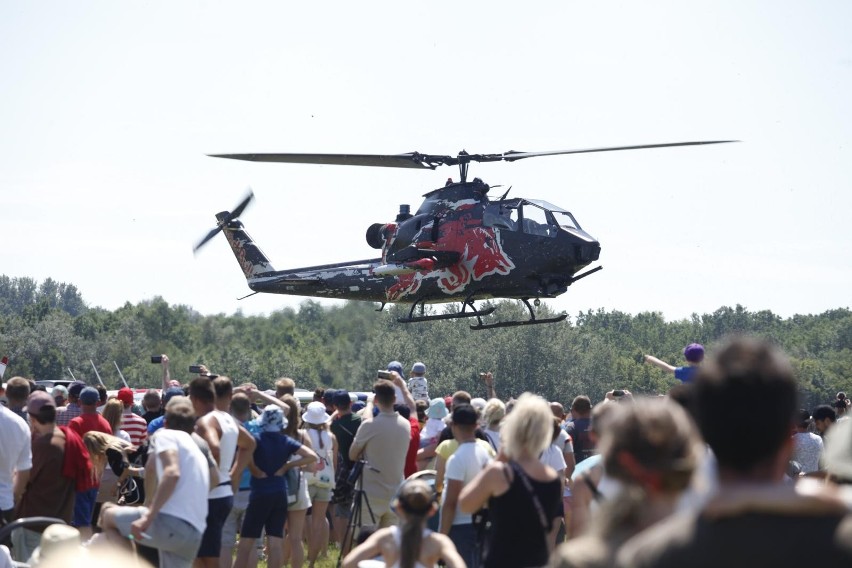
{"x":175,"y":520}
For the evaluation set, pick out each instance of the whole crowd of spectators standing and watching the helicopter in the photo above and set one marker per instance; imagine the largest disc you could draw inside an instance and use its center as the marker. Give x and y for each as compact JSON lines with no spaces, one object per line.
{"x":724,"y":470}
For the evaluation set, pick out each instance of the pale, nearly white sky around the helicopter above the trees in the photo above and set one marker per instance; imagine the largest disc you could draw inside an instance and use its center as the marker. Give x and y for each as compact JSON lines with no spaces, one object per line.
{"x":107,"y":110}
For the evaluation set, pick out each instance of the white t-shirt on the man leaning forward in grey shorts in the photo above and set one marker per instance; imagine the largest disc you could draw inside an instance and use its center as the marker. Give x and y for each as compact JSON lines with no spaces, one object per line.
{"x":189,"y":500}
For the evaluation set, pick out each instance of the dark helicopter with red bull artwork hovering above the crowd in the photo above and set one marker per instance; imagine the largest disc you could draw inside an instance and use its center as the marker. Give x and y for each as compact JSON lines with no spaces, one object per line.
{"x":459,"y":246}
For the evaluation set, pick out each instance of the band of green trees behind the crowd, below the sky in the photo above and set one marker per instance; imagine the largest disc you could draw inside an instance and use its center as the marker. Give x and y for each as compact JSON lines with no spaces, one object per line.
{"x":47,"y":329}
